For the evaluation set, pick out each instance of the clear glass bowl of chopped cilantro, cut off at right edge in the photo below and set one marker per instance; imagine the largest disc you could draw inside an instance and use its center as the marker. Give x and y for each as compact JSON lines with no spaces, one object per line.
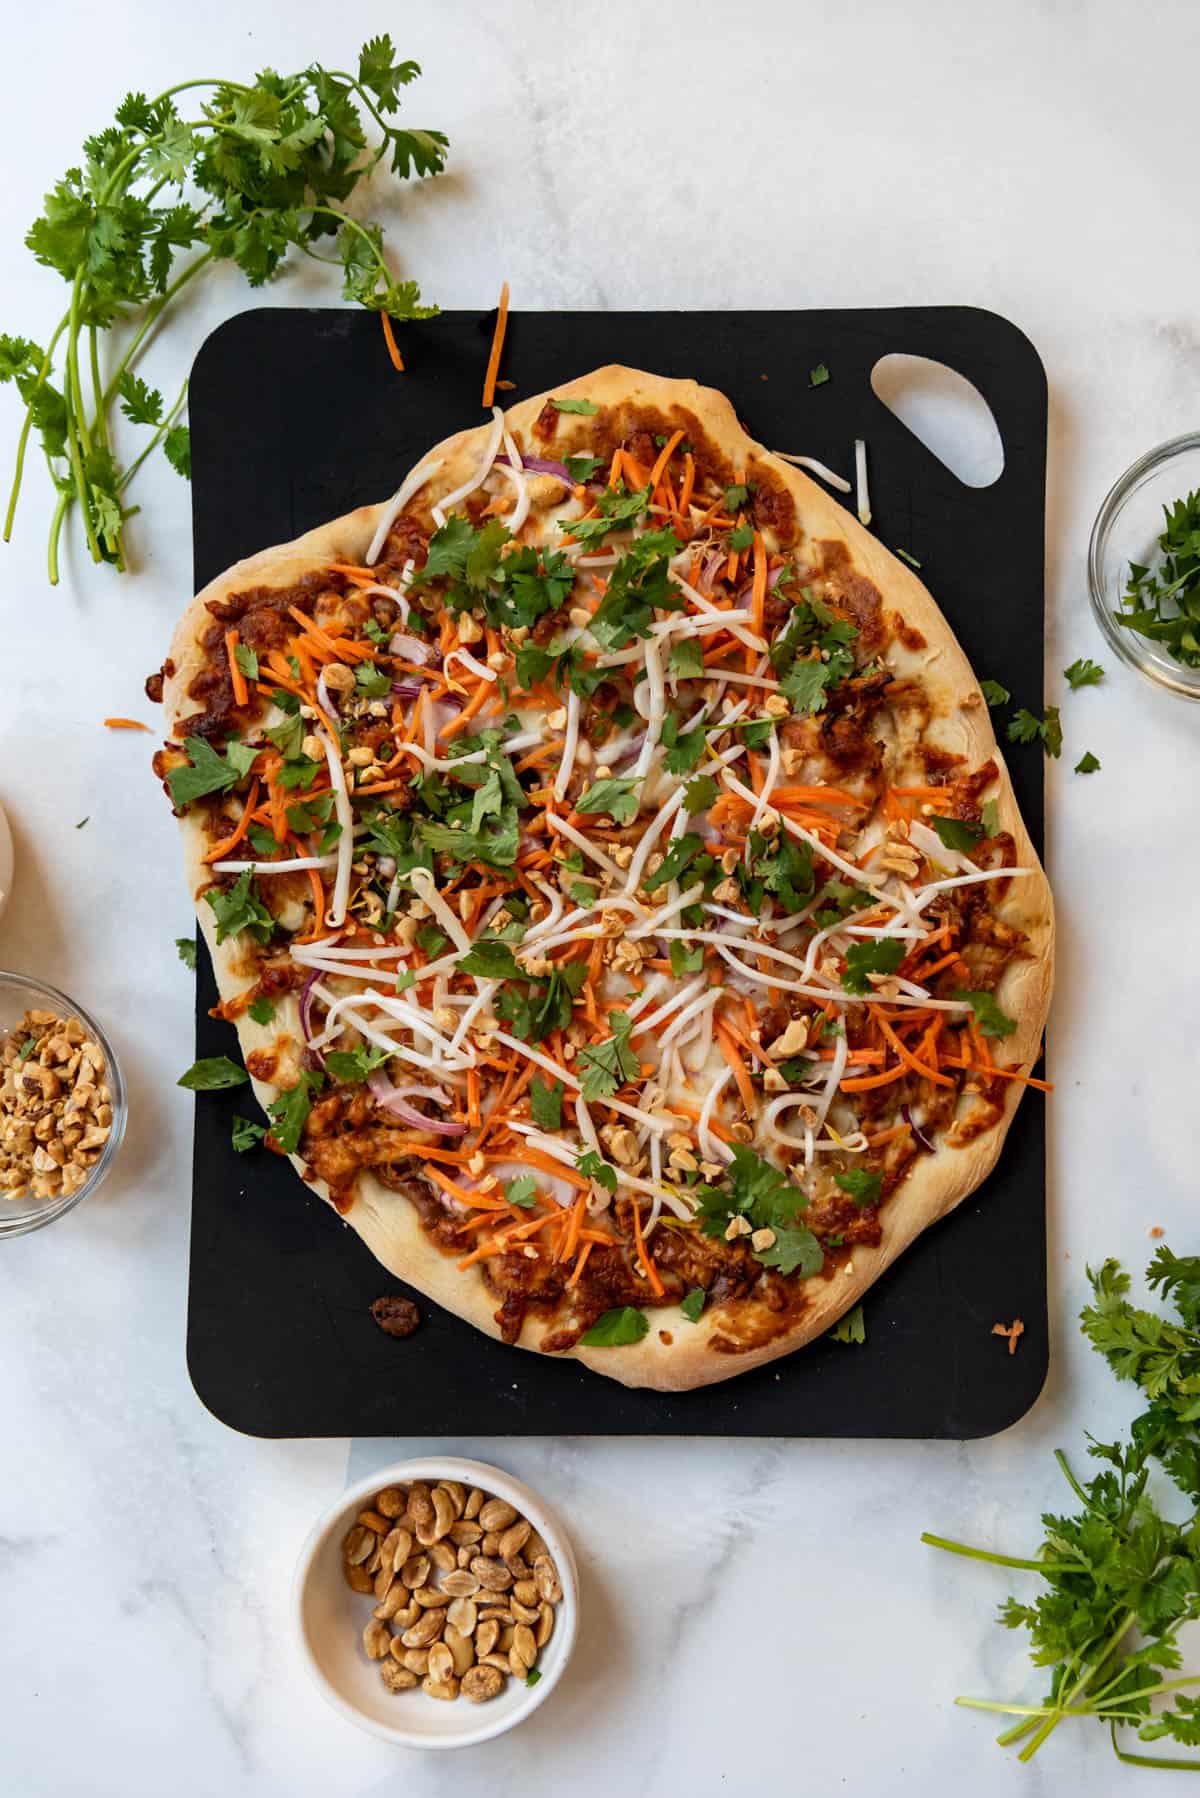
{"x":1145,"y":567}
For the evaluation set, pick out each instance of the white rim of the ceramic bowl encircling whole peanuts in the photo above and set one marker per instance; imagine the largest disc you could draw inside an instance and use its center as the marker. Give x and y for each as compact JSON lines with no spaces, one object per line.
{"x":501,"y":1484}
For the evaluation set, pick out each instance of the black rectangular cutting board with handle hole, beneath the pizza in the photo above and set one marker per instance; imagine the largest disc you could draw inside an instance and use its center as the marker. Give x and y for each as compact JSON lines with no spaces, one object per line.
{"x":298,"y":418}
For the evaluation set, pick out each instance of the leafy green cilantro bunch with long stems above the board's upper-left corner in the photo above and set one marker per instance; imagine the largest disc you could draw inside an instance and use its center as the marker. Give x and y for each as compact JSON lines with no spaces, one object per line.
{"x":267,"y":168}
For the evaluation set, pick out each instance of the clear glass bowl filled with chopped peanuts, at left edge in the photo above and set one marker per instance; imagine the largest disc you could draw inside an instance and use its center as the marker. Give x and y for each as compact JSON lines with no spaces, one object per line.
{"x":62,"y":1105}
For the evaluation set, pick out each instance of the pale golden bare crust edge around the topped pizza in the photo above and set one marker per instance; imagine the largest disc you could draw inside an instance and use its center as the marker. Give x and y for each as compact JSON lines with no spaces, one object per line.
{"x":676,"y":1355}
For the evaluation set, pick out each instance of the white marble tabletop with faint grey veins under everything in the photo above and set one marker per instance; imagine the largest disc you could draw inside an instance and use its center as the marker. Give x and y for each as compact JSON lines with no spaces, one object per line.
{"x":757,"y":1616}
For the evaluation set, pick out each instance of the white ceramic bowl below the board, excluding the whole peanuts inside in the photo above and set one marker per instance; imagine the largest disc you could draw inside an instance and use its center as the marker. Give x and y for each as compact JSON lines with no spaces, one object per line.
{"x":330,"y":1621}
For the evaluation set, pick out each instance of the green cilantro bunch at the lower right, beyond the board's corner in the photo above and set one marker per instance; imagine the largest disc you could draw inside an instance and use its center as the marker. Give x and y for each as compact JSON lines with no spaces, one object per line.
{"x":1122,"y":1580}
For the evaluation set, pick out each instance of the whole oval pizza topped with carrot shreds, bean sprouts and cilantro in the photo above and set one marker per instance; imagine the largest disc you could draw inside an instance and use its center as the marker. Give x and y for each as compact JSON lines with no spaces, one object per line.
{"x":609,"y":866}
